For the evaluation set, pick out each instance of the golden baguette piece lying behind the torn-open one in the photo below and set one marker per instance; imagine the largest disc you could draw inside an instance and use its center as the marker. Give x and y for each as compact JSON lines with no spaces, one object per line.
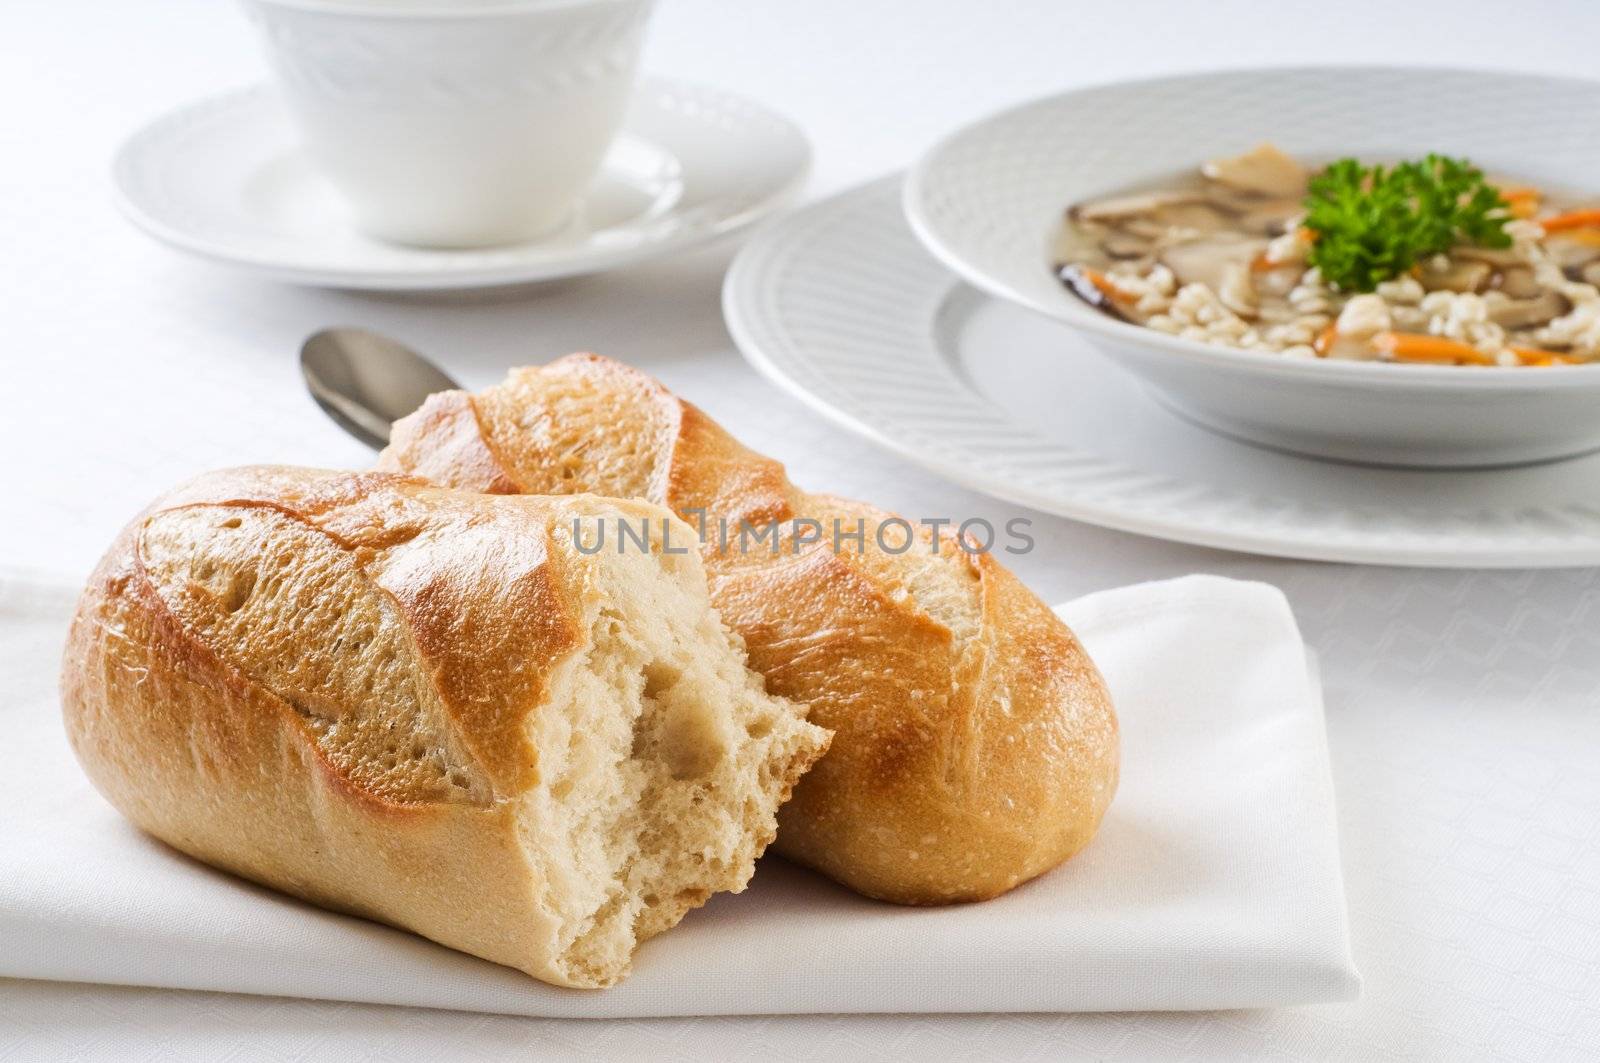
{"x":975,"y":742}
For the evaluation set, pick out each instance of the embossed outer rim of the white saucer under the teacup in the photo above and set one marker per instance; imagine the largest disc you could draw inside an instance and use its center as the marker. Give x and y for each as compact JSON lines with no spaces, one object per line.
{"x":718,"y":113}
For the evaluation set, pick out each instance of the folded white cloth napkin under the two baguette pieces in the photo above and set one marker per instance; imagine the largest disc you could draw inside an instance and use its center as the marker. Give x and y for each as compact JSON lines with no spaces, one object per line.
{"x":1214,"y":884}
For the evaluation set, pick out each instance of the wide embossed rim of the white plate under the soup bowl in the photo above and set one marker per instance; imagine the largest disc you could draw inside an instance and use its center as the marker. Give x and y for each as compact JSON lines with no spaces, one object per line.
{"x":775,"y":295}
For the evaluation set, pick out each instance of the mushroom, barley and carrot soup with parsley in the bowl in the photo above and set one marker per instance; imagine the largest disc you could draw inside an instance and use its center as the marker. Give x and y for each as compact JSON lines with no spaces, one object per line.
{"x":1425,"y":262}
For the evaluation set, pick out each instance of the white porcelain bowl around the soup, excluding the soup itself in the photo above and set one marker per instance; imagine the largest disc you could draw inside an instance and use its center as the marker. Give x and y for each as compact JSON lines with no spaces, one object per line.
{"x":988,"y":203}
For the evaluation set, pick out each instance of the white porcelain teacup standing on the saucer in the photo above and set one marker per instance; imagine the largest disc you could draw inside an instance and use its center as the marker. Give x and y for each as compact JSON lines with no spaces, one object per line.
{"x":457,"y":124}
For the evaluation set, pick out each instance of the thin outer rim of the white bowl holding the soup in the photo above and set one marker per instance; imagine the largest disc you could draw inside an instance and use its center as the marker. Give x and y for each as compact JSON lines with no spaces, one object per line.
{"x":1414,"y":377}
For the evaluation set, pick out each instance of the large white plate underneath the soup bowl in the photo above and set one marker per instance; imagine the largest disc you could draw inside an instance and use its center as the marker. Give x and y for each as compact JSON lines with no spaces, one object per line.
{"x":839,"y":305}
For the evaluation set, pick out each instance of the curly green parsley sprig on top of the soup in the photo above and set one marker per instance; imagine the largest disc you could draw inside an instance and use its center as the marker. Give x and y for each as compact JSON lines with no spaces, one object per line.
{"x":1374,"y":223}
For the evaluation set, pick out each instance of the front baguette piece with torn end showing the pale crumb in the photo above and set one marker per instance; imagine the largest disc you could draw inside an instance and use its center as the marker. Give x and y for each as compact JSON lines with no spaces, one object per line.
{"x":430,"y":708}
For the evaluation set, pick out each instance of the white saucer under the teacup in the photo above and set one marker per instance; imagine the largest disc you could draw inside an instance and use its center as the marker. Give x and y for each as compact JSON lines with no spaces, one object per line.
{"x":225,"y":179}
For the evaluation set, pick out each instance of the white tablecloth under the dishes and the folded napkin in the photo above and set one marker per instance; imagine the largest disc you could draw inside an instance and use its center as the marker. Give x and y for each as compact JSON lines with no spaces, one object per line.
{"x":1462,"y":707}
